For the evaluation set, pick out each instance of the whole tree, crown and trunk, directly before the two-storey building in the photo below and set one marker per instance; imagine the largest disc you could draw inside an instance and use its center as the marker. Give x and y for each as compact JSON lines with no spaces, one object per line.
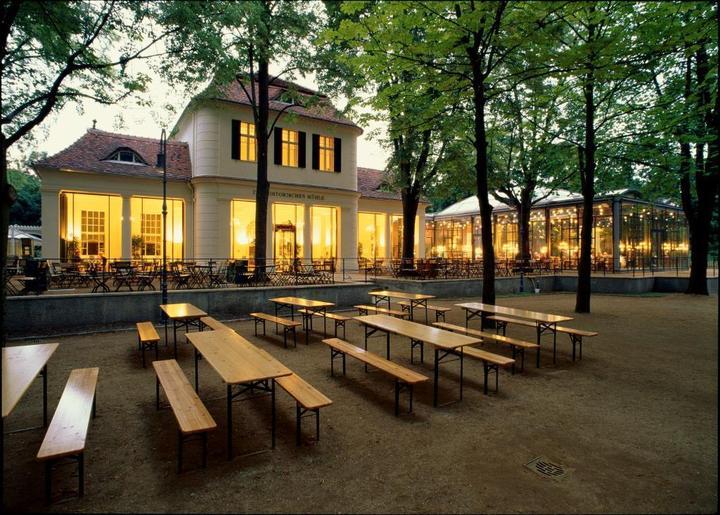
{"x":238,"y":41}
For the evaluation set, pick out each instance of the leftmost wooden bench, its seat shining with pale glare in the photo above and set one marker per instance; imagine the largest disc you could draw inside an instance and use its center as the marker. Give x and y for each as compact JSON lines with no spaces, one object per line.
{"x":66,"y":435}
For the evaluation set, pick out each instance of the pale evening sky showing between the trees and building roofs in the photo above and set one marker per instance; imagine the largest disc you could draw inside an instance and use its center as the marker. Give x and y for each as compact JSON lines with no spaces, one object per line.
{"x":64,"y":127}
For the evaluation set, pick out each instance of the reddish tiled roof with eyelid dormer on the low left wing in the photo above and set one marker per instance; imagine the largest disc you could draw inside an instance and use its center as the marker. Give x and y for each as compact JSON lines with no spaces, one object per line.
{"x":88,"y":154}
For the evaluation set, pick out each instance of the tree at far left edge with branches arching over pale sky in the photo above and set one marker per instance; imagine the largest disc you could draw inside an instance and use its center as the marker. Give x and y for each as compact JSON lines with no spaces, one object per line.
{"x":74,"y":52}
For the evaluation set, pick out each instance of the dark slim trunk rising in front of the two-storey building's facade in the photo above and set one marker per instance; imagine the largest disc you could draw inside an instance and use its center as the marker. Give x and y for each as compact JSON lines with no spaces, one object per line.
{"x":262,"y":190}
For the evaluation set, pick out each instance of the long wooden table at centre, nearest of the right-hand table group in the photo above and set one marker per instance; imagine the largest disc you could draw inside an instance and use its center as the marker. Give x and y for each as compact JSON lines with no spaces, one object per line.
{"x":445,"y":343}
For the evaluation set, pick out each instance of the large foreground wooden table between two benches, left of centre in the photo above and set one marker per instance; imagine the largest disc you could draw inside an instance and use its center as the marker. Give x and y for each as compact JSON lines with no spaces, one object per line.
{"x":242,"y":367}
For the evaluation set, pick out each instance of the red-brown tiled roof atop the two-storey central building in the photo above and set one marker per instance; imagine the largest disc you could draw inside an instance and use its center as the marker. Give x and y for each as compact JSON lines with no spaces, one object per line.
{"x":322,"y":110}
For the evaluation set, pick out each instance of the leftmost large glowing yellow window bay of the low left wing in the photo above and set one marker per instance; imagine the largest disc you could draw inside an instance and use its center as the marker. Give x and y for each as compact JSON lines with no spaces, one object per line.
{"x":90,"y":226}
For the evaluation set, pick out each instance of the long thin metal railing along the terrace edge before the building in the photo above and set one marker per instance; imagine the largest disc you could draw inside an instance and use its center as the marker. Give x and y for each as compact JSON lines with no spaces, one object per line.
{"x":99,"y":276}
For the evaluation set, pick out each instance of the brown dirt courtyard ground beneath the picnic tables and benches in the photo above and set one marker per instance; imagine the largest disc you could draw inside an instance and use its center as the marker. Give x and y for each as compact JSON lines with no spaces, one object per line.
{"x":634,"y":424}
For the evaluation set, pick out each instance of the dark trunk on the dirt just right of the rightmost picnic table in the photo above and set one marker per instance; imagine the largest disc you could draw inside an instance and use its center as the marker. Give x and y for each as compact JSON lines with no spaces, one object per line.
{"x":587,"y":177}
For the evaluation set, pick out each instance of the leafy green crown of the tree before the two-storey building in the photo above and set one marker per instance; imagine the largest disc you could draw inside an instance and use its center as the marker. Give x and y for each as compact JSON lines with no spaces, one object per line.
{"x":214,"y":43}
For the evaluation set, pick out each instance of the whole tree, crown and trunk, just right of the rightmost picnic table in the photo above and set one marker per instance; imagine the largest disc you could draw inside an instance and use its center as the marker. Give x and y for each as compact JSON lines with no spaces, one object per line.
{"x":605,"y":65}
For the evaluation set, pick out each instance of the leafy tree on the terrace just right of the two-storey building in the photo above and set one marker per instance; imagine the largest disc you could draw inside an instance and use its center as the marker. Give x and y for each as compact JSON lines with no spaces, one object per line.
{"x":363,"y":45}
